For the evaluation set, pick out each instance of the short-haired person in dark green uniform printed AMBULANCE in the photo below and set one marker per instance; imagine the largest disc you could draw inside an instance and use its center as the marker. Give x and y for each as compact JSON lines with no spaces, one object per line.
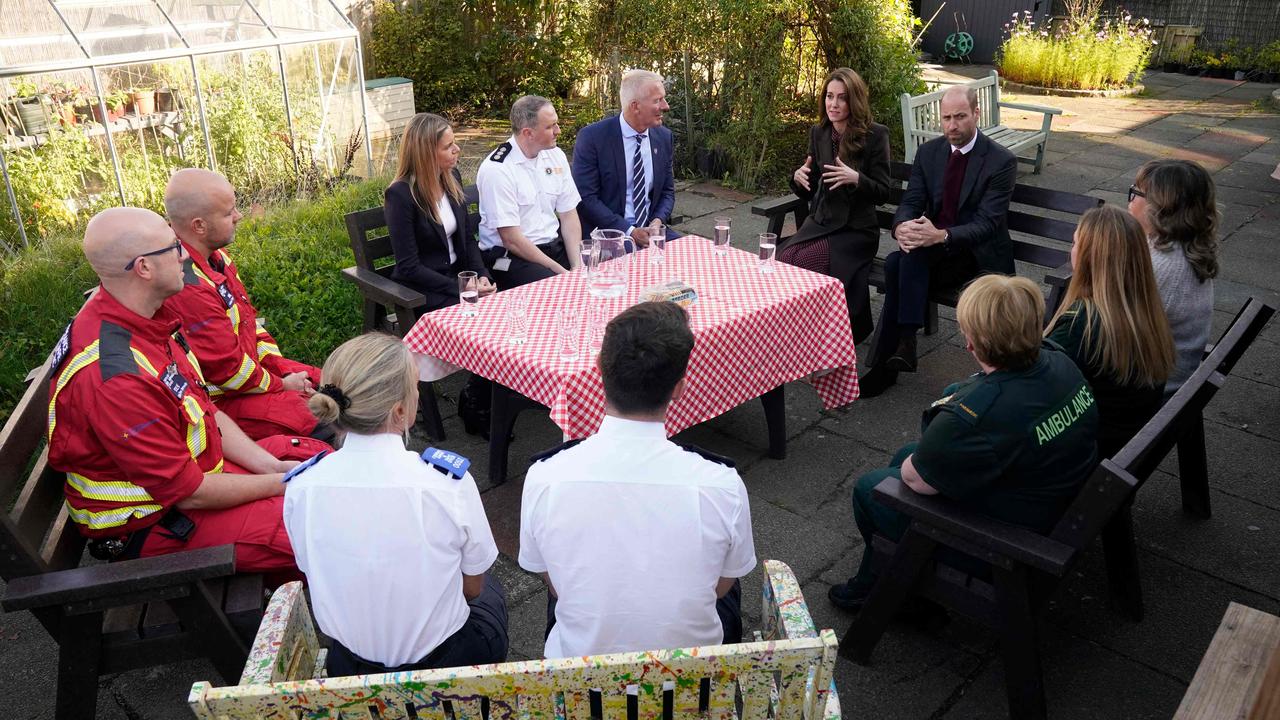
{"x":1016,"y":441}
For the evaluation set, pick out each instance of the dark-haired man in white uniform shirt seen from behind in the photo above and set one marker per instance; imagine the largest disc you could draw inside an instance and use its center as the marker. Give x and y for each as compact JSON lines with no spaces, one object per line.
{"x":641,"y":541}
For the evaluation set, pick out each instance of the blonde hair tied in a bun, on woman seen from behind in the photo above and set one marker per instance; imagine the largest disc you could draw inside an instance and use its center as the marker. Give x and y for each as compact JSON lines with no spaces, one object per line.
{"x":363,"y":381}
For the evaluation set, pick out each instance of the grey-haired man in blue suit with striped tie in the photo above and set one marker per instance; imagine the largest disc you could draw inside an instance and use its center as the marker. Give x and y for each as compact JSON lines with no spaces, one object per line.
{"x":623,"y":166}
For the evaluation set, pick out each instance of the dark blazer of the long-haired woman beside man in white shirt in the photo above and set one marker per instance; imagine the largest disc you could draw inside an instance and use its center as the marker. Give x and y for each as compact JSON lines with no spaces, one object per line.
{"x":422,"y":250}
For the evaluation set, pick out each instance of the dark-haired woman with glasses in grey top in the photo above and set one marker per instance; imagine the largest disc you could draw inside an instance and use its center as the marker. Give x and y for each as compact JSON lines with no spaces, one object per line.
{"x":1174,"y":202}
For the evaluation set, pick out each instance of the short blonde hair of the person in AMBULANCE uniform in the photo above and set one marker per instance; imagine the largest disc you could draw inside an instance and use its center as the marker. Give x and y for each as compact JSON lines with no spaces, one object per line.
{"x":1002,"y":317}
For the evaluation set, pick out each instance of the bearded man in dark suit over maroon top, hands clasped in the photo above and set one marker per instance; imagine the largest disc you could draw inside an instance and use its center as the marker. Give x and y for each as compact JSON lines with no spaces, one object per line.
{"x":950,"y":227}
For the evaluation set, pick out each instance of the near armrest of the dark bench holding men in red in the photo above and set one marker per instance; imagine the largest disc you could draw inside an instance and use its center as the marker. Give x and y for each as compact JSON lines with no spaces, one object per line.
{"x":127,"y":580}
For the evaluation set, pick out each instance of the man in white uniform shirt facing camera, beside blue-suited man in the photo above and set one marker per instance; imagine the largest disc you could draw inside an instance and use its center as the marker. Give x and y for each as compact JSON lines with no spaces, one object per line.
{"x":529,"y":227}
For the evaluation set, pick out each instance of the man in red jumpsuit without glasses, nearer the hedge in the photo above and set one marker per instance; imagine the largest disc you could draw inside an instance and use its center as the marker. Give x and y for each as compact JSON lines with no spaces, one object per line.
{"x":248,"y":377}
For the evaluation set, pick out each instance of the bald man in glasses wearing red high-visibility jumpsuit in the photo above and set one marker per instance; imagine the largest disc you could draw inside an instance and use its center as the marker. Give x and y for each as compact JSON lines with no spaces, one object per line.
{"x":152,"y":466}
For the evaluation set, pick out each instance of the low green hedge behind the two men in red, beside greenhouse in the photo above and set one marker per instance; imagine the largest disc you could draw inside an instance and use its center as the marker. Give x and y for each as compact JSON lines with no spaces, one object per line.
{"x":290,"y":258}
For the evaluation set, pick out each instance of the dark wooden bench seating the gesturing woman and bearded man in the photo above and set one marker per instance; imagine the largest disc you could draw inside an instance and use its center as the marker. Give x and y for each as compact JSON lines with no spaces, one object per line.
{"x":1040,"y":238}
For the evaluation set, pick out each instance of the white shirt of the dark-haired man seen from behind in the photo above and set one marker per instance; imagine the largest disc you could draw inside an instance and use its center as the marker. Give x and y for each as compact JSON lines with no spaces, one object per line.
{"x":634,"y":532}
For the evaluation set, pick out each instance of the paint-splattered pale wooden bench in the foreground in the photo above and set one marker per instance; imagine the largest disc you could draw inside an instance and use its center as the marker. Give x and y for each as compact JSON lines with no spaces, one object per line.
{"x":785,"y":673}
